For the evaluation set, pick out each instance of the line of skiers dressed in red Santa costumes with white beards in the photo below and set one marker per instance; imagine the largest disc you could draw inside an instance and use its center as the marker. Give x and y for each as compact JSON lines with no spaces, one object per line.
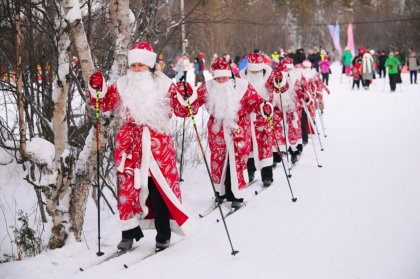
{"x":254,"y":120}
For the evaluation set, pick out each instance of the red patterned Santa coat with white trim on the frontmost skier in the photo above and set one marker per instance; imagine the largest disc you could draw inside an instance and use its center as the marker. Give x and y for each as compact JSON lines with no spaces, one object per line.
{"x":141,"y":152}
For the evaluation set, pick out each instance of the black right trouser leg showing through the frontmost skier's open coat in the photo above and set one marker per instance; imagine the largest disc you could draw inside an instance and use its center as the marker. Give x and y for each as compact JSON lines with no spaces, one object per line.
{"x":161,"y":213}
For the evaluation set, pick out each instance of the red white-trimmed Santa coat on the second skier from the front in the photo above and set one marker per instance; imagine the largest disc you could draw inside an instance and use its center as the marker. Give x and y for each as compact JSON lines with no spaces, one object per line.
{"x":227,"y":142}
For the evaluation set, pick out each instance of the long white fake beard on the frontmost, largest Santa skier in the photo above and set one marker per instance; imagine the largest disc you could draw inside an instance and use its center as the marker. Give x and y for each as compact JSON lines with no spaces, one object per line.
{"x":145,"y":103}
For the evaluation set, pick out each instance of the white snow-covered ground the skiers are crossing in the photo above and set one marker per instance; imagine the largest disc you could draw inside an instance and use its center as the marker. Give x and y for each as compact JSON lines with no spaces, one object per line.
{"x":356,"y":217}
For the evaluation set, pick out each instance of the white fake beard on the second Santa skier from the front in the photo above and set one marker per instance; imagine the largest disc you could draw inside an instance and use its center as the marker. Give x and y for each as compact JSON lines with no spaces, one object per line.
{"x":222,"y":103}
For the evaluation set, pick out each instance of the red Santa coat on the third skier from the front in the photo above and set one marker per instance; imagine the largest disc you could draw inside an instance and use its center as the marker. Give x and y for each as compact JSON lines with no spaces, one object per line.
{"x":261,"y":131}
